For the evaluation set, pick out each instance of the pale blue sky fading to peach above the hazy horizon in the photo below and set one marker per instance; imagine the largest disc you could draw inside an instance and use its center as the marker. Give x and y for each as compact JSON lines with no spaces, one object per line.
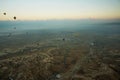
{"x":59,"y":9}
